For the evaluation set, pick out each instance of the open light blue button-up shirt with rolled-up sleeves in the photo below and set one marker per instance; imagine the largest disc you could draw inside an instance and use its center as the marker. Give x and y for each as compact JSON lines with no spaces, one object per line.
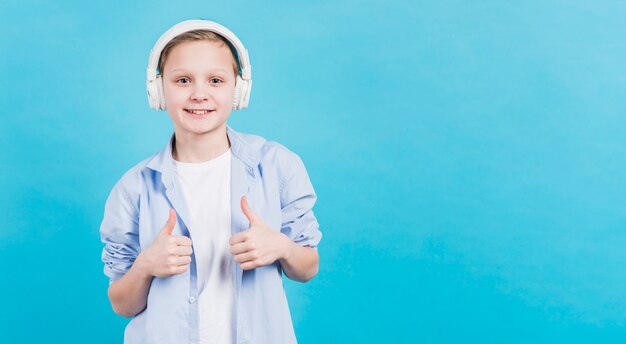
{"x":277,"y":187}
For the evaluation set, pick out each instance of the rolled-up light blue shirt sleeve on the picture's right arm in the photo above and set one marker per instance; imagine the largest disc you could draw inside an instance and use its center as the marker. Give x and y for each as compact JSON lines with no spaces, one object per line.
{"x":297,"y":201}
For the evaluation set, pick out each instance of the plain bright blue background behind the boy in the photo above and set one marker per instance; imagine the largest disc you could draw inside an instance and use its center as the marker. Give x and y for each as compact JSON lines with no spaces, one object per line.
{"x":469,"y":158}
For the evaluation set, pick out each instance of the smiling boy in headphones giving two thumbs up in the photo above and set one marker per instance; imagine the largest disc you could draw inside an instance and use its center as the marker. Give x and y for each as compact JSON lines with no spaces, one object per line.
{"x":197,"y":236}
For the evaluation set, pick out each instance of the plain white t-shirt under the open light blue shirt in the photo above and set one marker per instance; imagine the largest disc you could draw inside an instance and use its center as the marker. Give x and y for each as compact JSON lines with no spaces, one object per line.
{"x":206,"y":190}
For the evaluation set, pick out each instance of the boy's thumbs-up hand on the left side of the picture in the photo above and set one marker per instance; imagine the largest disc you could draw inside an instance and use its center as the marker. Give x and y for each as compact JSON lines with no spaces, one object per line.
{"x":169,"y":254}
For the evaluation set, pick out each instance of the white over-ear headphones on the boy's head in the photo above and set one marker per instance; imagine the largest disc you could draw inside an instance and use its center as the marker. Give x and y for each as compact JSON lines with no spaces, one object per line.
{"x":154,"y":82}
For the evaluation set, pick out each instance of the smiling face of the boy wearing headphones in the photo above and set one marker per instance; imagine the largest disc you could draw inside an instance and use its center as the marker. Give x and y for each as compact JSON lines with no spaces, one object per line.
{"x":198,"y":85}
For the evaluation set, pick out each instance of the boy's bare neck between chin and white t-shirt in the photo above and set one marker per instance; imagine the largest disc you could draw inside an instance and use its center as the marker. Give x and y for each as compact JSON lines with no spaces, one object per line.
{"x":192,"y":148}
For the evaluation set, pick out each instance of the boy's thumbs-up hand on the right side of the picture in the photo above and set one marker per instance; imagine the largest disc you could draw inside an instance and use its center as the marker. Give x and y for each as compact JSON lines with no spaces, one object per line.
{"x":258,"y":245}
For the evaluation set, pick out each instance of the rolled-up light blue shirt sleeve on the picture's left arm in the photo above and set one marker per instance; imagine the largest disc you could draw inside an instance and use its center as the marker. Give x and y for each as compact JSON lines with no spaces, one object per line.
{"x":119,"y":233}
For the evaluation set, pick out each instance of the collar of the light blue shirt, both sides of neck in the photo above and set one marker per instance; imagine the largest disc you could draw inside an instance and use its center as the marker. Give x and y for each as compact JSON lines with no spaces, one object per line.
{"x":244,"y":147}
